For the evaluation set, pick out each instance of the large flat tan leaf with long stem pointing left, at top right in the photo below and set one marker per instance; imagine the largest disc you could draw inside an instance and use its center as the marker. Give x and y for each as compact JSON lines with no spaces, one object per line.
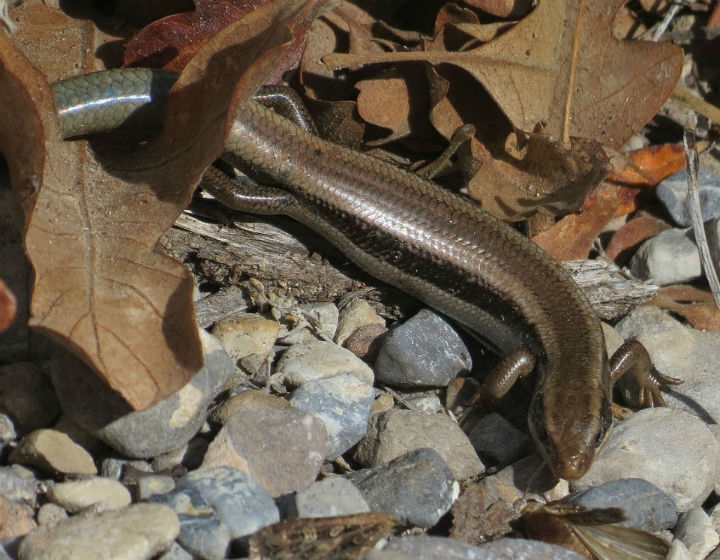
{"x":562,"y":66}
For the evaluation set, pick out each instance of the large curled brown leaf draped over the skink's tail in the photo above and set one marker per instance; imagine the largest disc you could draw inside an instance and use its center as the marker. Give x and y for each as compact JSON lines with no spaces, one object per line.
{"x":100,"y":287}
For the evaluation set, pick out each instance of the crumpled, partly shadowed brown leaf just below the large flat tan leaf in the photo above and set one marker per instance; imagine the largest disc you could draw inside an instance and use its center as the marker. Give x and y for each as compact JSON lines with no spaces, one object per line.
{"x":526,"y":171}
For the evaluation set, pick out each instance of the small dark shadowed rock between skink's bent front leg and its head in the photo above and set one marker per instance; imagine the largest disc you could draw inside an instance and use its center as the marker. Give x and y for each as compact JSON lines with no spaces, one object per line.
{"x":496,"y":439}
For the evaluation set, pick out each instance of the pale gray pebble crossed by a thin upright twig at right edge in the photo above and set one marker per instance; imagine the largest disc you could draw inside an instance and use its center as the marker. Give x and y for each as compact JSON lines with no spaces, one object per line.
{"x":672,"y":191}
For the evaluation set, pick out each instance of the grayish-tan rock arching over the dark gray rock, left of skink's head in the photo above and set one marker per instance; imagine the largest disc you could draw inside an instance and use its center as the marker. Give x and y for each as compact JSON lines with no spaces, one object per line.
{"x":395,"y":432}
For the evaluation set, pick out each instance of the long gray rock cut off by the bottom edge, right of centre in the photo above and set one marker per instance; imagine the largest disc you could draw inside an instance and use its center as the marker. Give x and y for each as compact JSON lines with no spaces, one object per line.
{"x":425,"y":547}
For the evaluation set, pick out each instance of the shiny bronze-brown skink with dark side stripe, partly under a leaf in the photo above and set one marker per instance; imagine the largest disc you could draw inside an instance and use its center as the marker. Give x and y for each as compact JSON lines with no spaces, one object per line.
{"x":437,"y":246}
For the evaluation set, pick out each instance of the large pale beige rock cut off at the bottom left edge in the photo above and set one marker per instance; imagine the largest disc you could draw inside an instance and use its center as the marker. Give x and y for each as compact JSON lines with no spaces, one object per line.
{"x":137,"y":532}
